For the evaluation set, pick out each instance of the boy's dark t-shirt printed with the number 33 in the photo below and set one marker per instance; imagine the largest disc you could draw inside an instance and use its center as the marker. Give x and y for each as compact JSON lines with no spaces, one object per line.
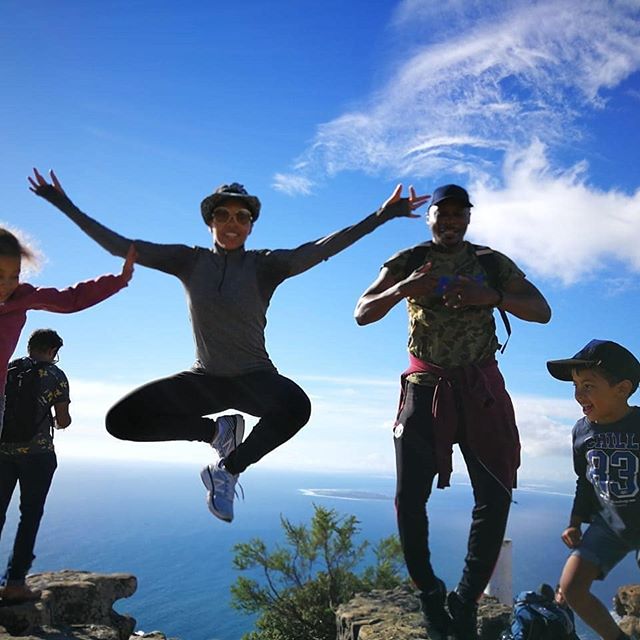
{"x":606,"y":458}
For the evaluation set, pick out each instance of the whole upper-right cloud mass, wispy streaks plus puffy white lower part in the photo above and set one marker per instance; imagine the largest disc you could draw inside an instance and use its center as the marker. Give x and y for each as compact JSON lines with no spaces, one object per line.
{"x":484,"y":95}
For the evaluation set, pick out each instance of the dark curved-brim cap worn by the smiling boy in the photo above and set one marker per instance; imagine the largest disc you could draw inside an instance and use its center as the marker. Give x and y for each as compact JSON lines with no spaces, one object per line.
{"x":611,"y":359}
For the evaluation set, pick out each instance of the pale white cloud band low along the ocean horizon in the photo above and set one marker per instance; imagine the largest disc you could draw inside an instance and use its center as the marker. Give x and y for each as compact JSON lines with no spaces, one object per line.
{"x":347,"y":432}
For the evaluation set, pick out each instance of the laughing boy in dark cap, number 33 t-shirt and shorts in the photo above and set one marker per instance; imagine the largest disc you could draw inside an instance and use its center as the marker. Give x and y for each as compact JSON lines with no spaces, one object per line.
{"x":606,"y":459}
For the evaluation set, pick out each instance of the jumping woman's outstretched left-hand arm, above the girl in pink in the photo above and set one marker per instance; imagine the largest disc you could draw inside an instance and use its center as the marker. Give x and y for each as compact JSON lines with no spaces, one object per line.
{"x":168,"y":258}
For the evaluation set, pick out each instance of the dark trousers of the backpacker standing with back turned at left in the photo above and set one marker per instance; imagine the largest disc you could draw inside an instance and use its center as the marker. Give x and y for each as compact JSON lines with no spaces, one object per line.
{"x":34,"y":472}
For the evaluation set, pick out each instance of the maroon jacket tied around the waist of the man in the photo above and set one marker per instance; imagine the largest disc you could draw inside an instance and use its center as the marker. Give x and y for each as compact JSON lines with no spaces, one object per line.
{"x":471,"y":404}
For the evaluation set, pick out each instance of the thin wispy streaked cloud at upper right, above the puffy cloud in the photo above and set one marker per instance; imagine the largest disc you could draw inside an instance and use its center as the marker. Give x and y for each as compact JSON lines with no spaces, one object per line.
{"x":496,"y":79}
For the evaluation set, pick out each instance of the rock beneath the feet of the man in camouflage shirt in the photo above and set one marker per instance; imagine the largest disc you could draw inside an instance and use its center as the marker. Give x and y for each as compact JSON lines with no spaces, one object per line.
{"x":396,"y":615}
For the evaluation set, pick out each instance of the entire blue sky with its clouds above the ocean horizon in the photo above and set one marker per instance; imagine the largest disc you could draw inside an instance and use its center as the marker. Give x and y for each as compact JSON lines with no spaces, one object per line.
{"x":320,"y":108}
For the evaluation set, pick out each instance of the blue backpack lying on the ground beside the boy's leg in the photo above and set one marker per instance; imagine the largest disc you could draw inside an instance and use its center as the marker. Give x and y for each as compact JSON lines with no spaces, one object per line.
{"x":536,"y":617}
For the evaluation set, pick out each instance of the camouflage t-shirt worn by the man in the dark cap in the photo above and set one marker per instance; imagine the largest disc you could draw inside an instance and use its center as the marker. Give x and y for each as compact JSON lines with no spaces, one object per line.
{"x":442,"y":335}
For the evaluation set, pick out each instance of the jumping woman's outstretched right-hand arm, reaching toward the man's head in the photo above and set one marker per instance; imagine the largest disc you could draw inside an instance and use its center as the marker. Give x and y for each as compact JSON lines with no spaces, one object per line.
{"x":311,"y":253}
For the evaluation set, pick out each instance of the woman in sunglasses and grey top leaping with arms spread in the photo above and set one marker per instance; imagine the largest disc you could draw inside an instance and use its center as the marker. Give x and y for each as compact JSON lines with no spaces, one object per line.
{"x":228,"y":292}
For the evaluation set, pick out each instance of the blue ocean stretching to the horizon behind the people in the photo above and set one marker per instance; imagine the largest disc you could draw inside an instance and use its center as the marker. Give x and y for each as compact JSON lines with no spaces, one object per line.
{"x":150,"y":519}
